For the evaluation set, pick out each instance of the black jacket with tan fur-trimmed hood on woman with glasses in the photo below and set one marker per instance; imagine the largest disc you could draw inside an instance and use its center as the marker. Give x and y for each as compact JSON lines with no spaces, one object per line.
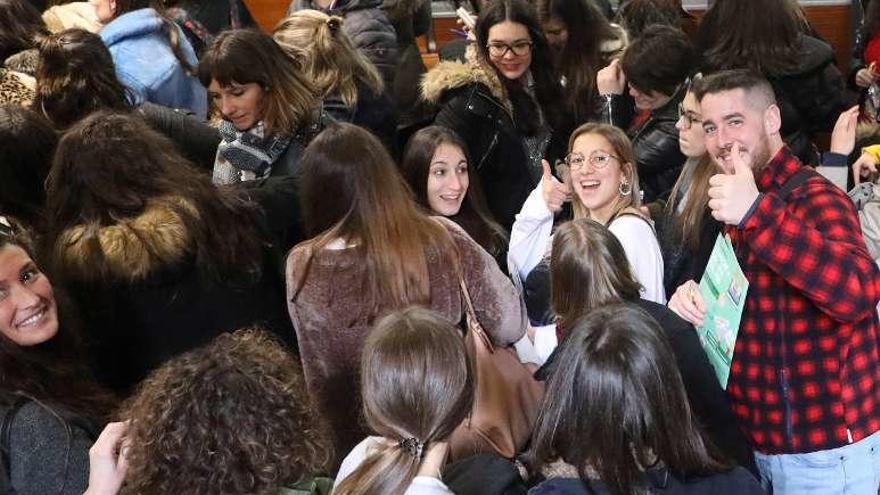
{"x":472,"y":102}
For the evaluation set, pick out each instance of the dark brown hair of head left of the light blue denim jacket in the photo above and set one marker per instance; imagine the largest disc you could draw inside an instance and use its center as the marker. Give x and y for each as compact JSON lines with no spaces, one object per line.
{"x":75,"y":77}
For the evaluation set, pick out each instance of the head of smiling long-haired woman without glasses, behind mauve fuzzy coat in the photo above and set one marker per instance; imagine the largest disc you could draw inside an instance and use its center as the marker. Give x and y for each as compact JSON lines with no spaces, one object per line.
{"x":436,"y":166}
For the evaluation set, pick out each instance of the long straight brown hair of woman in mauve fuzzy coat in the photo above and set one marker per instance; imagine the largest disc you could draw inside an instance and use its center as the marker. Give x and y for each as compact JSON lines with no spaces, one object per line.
{"x":351,"y":190}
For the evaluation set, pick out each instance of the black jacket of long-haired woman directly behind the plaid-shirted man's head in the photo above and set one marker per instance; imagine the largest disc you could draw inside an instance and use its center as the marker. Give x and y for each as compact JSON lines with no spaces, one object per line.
{"x":810,"y":97}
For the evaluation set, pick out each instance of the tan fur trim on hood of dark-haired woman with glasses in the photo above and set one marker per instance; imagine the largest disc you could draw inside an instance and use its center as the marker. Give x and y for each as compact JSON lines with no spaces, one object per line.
{"x":450,"y":75}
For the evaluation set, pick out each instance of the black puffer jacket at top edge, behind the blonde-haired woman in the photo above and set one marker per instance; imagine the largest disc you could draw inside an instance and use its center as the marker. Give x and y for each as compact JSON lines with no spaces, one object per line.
{"x":369,"y":29}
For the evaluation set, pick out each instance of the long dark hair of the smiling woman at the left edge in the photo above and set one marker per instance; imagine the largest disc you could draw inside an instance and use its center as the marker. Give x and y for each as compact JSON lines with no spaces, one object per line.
{"x":55,"y":371}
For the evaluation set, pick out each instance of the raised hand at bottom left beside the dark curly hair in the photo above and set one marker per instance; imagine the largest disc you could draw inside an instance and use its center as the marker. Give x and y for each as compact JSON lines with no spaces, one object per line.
{"x":107,"y":461}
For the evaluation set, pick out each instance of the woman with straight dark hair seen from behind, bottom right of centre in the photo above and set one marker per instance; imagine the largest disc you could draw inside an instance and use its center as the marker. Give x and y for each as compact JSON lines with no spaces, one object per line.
{"x":616,"y":420}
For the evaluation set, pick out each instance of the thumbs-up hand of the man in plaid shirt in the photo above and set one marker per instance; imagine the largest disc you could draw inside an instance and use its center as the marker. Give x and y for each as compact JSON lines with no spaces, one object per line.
{"x":732,"y":195}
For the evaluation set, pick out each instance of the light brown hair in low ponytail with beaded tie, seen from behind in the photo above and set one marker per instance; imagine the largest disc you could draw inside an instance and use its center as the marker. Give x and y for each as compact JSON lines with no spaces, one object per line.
{"x":417,"y":383}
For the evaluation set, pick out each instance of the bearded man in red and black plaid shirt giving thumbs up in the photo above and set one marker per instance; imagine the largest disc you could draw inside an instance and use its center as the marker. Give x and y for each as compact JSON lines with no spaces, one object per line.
{"x":805,"y":377}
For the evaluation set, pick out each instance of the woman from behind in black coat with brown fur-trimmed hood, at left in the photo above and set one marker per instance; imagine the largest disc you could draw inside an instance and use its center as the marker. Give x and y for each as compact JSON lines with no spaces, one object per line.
{"x":159,"y":259}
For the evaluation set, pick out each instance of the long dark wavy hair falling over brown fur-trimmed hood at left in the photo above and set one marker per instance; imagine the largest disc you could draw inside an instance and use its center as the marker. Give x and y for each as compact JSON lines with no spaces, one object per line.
{"x":112,"y":165}
